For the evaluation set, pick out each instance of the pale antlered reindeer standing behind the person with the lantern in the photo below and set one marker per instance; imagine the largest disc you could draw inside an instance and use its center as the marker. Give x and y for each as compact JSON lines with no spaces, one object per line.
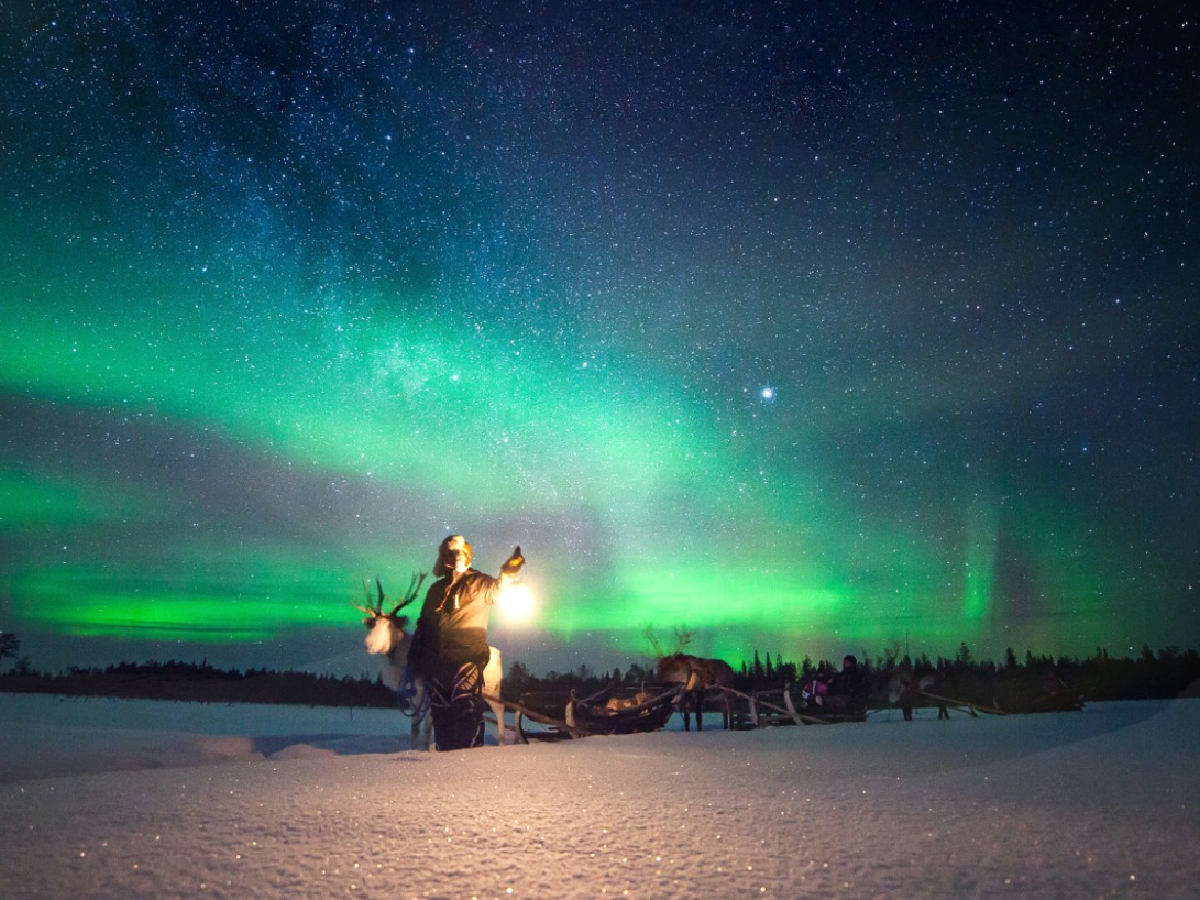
{"x":388,"y":637}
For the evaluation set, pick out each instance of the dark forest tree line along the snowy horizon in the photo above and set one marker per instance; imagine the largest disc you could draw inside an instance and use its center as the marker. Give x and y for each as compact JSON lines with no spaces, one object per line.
{"x":1153,"y":675}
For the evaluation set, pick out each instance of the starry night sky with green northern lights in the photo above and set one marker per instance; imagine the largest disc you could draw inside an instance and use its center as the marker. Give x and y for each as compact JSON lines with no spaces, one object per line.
{"x":809,"y":328}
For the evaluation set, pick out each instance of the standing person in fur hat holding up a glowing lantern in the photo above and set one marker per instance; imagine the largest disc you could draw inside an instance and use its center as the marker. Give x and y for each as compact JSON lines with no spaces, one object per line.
{"x":451,"y":644}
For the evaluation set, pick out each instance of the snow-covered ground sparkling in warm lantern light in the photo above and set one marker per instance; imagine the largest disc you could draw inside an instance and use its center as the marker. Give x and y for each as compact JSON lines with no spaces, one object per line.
{"x":128,"y":800}
